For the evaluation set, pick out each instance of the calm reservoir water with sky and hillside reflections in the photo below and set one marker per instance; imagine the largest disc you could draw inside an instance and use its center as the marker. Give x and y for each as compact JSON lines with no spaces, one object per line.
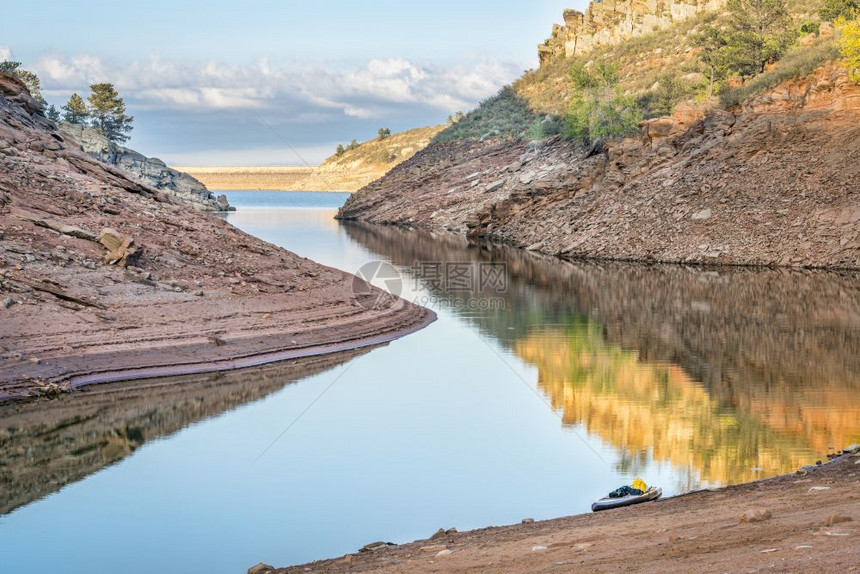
{"x":535,"y":392}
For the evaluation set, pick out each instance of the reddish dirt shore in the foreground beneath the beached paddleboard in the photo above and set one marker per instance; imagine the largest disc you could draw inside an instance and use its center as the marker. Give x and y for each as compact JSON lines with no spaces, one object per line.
{"x":812,"y":528}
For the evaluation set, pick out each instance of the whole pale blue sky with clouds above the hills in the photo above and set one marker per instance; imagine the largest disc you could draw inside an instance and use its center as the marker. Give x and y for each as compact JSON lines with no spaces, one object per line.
{"x":277,"y":83}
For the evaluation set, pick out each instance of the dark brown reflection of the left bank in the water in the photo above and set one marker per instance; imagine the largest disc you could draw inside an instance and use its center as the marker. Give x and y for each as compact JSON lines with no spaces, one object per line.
{"x":47,"y":444}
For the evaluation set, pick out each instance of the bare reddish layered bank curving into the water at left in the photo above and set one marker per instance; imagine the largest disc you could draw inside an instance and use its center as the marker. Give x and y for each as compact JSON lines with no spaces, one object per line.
{"x":103,"y":279}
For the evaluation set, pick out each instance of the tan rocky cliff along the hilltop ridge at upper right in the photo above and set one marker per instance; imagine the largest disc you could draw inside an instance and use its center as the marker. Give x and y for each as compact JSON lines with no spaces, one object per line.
{"x":610,"y":22}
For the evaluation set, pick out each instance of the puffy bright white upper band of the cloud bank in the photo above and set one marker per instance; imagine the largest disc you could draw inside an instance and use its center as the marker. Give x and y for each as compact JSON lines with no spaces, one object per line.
{"x":366,"y":92}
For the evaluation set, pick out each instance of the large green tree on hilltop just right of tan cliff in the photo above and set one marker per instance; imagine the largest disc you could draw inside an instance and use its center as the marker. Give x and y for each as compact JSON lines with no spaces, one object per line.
{"x":758,"y":33}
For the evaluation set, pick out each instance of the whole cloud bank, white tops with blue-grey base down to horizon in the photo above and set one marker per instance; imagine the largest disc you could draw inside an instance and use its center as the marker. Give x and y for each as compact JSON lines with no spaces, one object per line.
{"x":189,"y":111}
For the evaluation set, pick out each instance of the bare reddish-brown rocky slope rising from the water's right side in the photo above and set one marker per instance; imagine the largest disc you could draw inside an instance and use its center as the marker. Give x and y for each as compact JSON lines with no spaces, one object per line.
{"x":776,"y":182}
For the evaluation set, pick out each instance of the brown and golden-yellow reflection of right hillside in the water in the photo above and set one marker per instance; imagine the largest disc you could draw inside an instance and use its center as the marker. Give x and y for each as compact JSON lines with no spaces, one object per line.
{"x":731,"y":373}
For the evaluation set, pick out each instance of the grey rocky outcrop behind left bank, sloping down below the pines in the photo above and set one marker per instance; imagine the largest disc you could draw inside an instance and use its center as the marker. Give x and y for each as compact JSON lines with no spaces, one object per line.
{"x":148,"y":171}
